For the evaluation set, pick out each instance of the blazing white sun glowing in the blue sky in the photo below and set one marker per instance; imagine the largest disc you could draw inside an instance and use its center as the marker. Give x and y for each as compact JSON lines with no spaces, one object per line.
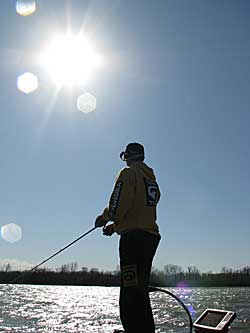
{"x":70,"y":60}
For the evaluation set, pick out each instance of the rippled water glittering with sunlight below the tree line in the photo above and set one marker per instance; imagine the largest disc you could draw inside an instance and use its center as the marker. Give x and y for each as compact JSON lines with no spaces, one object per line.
{"x":71,"y":309}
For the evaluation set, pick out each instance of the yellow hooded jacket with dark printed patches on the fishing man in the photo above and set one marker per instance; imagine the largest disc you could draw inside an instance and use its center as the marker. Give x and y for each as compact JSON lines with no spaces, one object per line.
{"x":132,"y":204}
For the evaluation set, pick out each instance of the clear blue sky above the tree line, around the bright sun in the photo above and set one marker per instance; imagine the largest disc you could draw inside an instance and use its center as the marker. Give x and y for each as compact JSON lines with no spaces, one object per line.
{"x":176,"y":78}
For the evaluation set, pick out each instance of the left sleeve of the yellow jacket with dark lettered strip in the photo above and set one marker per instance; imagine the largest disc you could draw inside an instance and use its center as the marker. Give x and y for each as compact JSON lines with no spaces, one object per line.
{"x":122,"y":196}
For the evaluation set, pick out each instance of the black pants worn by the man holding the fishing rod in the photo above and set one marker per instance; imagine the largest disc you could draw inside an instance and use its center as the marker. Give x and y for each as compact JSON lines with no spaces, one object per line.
{"x":137,"y":249}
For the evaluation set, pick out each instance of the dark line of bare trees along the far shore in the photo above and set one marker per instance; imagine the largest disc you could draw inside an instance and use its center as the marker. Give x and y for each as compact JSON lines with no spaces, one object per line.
{"x":170,"y":276}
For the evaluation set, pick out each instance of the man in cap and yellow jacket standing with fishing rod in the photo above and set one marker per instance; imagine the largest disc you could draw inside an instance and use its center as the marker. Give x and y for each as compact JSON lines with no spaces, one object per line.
{"x":132,"y":209}
